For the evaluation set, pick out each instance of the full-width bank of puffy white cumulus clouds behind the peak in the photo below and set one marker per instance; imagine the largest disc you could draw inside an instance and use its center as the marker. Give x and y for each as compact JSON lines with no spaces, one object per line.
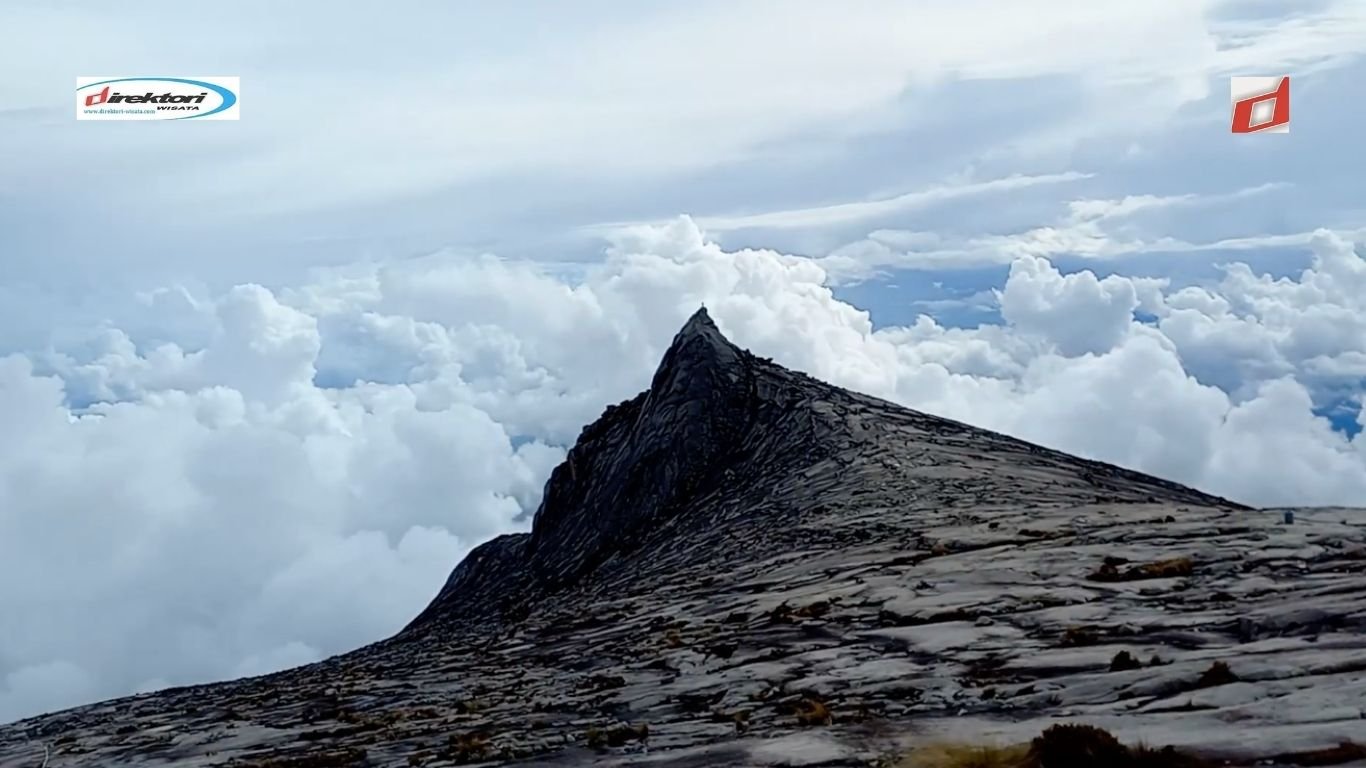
{"x":304,"y":480}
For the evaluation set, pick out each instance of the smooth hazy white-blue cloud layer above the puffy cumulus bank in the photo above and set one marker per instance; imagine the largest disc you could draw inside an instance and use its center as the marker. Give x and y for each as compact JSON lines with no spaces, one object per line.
{"x":805,"y":124}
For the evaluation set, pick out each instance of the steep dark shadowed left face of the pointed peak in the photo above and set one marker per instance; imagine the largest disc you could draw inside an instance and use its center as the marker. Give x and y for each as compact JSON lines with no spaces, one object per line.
{"x":644,"y":463}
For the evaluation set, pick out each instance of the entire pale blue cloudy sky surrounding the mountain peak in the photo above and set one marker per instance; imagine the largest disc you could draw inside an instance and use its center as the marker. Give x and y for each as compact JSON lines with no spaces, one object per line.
{"x":263,"y":383}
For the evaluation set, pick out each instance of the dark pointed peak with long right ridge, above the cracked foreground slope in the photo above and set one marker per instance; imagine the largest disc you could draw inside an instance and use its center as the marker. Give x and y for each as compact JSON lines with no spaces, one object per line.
{"x":722,"y":430}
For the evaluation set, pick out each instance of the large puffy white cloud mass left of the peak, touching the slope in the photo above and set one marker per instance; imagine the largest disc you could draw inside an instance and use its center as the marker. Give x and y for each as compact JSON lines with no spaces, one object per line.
{"x":218,"y":513}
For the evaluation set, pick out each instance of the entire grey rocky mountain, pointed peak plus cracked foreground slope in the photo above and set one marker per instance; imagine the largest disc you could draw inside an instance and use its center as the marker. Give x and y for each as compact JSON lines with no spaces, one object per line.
{"x":747,"y":566}
